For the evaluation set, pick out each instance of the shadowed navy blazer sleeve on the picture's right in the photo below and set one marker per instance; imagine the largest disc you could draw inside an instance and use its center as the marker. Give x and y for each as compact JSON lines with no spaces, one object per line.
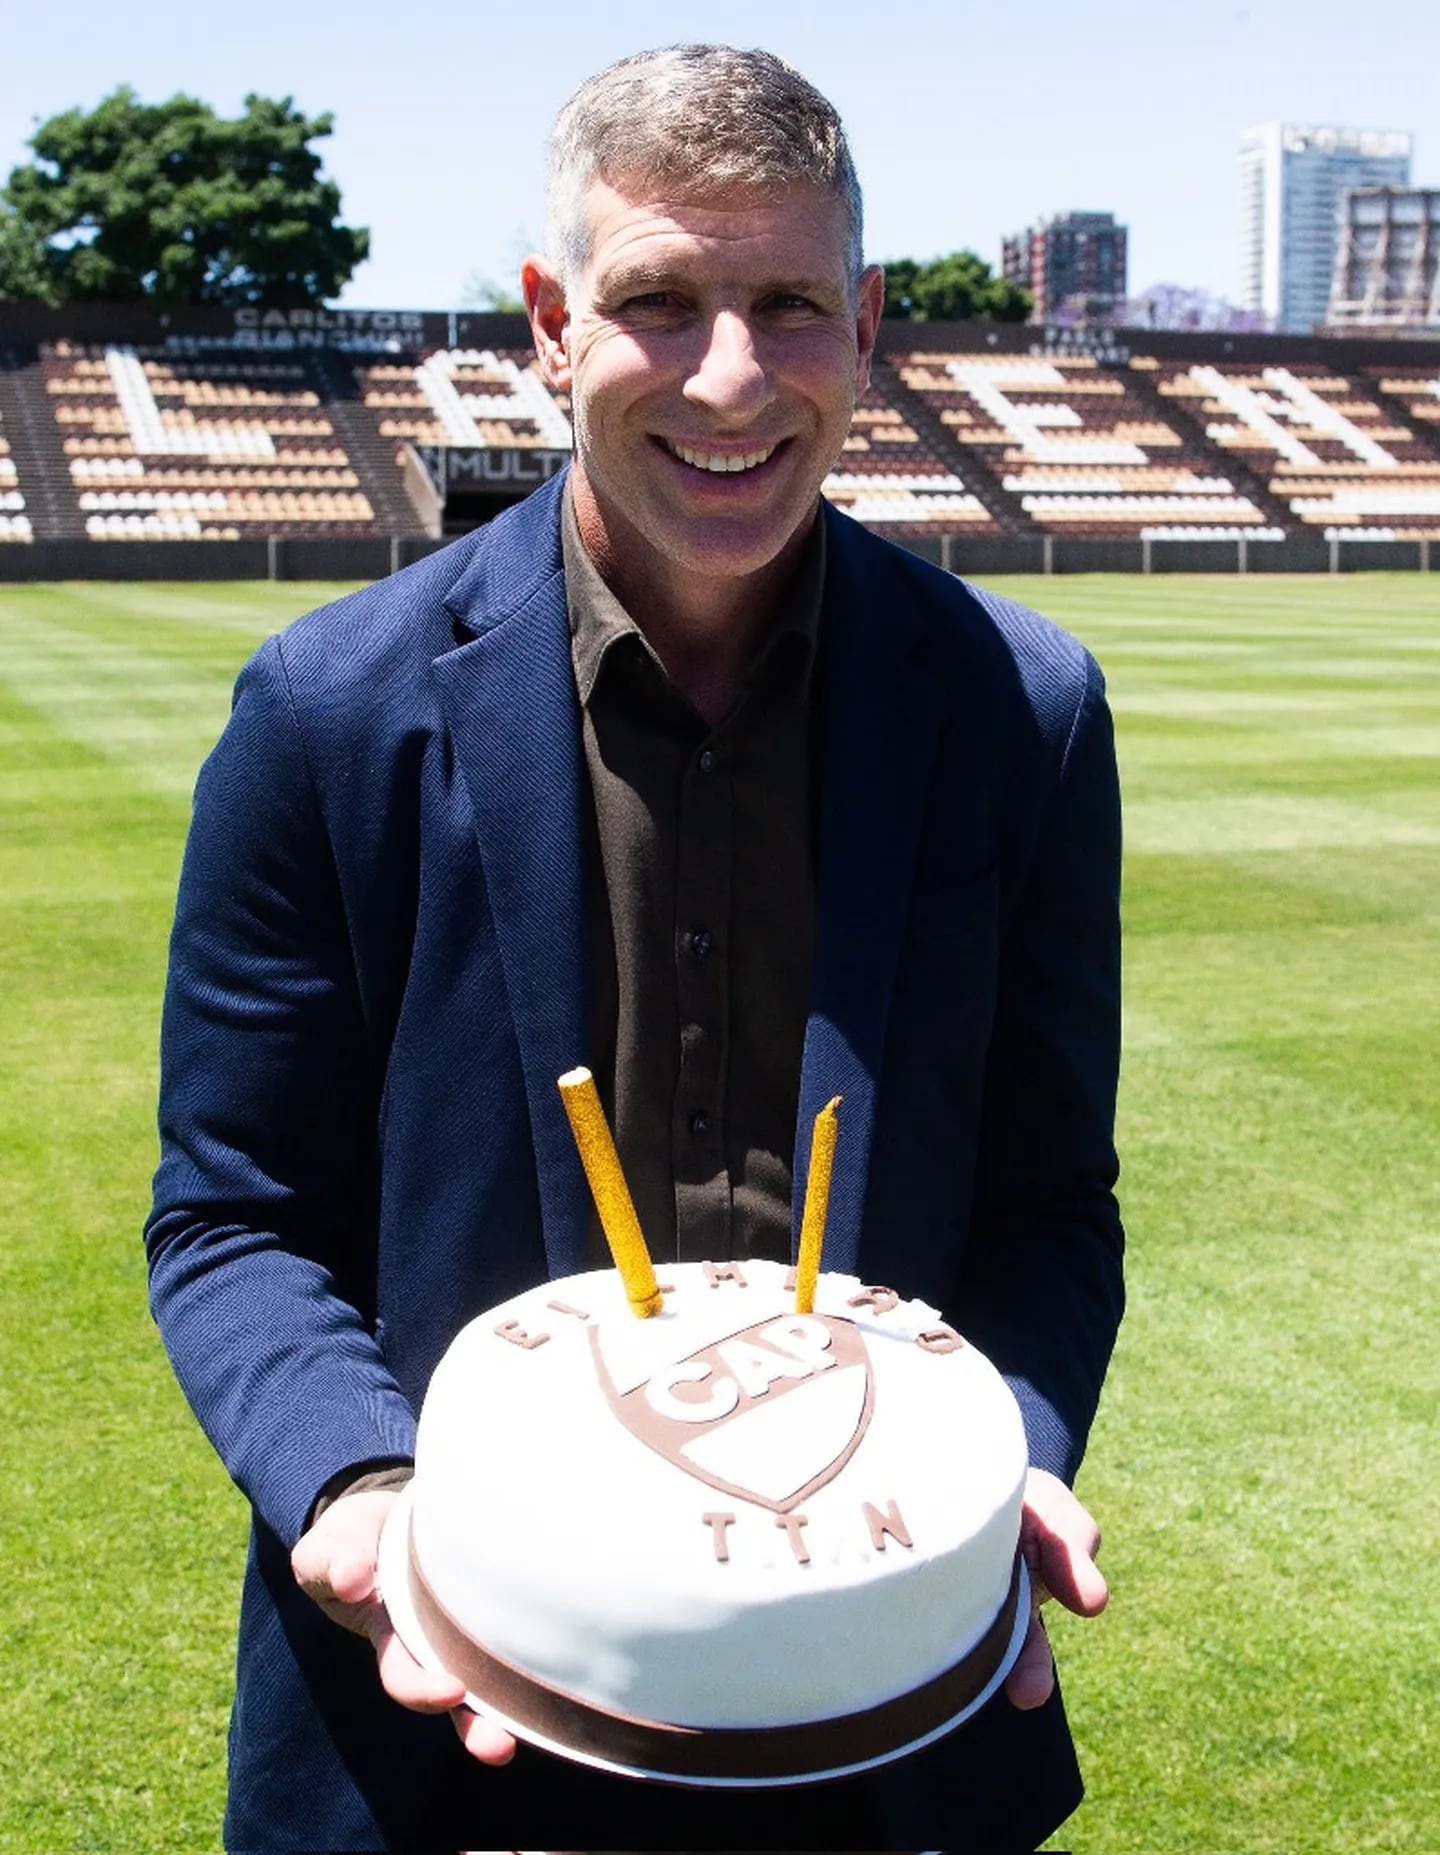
{"x":1042,"y":1283}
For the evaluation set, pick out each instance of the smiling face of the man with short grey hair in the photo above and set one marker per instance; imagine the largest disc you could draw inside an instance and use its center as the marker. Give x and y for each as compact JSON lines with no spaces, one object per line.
{"x":714,"y":355}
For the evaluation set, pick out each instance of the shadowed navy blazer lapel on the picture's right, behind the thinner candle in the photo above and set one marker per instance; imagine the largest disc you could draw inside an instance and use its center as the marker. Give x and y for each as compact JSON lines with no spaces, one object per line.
{"x":881,"y":732}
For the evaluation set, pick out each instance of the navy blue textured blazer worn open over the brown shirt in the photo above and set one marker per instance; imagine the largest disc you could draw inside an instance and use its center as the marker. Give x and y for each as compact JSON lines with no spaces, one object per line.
{"x":379,"y":969}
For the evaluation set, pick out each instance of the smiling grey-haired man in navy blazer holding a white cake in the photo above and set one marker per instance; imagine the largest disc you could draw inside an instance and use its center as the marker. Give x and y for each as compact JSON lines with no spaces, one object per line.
{"x":676,"y":773}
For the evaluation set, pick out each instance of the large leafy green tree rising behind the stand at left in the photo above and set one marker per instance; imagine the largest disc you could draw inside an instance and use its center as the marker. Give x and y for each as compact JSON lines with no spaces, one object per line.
{"x":174,"y":205}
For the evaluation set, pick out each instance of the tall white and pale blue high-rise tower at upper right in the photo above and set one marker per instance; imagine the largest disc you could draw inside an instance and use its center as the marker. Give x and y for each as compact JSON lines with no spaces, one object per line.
{"x":1294,"y":183}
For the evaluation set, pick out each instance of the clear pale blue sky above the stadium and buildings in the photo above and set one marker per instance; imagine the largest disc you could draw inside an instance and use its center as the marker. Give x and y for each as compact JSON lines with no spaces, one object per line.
{"x":968,"y":122}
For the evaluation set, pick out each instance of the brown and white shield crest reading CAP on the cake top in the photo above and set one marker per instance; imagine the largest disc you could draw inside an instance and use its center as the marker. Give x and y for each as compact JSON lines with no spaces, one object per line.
{"x":767,"y":1413}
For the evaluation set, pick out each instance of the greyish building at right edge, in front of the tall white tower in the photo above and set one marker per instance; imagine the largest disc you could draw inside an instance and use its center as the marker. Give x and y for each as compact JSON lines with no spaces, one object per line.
{"x":1387,"y":270}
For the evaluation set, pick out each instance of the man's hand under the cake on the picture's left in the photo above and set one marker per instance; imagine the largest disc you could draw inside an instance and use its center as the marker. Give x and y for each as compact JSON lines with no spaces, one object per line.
{"x":337,"y":1565}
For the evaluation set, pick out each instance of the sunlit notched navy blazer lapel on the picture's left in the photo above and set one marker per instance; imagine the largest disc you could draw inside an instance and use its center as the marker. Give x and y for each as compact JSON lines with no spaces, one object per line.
{"x":509,"y":697}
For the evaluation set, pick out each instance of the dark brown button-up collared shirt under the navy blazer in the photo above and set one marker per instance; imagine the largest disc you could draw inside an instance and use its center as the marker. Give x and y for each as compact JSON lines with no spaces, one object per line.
{"x":702,"y":912}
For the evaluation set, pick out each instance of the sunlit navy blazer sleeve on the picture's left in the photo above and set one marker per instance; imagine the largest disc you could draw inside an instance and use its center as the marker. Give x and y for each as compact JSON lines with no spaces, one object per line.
{"x":261,"y":1238}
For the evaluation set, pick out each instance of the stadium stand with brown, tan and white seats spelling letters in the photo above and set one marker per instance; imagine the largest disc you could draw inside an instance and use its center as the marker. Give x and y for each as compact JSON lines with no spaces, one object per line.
{"x":404,"y":428}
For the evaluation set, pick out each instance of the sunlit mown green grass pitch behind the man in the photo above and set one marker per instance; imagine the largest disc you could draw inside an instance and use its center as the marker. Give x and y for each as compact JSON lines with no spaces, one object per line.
{"x":1265,"y":1463}
